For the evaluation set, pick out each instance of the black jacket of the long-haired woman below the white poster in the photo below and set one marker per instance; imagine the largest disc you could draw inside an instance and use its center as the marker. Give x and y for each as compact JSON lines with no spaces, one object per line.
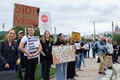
{"x":47,"y":49}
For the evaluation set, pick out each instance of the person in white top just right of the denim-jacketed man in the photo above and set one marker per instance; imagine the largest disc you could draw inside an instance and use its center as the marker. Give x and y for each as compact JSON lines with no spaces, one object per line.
{"x":109,"y":49}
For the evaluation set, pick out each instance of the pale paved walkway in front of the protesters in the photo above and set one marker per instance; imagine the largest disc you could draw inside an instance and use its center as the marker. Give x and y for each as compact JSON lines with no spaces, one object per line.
{"x":90,"y":72}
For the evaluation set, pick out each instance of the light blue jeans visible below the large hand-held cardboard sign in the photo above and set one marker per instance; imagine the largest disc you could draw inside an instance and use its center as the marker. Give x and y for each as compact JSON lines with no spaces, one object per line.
{"x":61,"y":70}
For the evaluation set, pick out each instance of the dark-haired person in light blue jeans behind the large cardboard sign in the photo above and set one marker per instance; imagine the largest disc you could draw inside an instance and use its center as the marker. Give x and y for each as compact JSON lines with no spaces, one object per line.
{"x":61,"y":69}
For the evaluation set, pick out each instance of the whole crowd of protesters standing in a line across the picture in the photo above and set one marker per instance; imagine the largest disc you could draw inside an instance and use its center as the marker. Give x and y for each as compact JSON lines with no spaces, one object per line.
{"x":15,"y":55}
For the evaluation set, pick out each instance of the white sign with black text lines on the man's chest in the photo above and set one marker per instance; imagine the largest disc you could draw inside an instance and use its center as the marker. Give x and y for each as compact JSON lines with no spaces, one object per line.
{"x":33,"y":44}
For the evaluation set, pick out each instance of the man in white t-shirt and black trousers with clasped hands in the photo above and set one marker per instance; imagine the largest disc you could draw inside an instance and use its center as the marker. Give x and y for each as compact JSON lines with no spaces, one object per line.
{"x":31,"y":52}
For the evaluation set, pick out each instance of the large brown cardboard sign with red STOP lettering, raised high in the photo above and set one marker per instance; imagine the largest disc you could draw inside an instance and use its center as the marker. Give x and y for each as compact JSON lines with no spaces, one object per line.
{"x":25,"y":16}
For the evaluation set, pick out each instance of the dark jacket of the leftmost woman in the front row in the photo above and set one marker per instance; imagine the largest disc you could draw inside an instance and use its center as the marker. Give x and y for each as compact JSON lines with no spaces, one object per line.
{"x":8,"y":54}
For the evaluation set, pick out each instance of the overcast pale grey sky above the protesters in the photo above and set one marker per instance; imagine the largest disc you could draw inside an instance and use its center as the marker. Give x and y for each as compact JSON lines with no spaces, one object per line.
{"x":69,"y":15}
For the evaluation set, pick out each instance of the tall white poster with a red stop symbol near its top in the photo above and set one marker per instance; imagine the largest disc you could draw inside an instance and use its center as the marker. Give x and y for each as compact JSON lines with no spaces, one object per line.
{"x":45,"y":23}
